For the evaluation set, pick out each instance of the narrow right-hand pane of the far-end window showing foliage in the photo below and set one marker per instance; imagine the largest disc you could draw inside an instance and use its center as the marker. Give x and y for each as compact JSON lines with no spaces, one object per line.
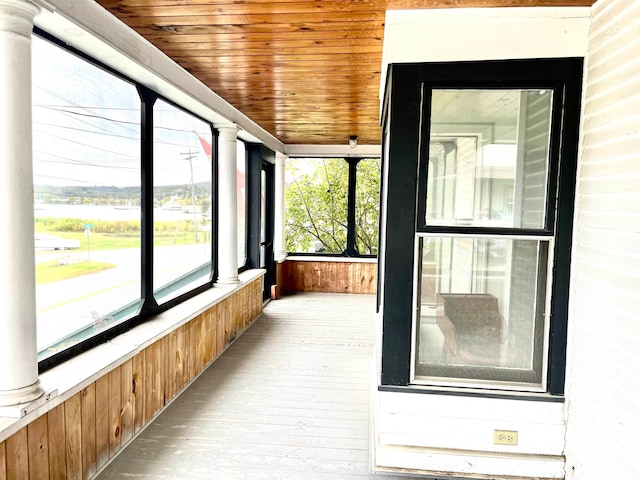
{"x":367,"y":205}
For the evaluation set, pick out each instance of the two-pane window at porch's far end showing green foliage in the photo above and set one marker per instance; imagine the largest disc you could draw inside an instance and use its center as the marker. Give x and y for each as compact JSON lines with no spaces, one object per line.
{"x":332,"y":206}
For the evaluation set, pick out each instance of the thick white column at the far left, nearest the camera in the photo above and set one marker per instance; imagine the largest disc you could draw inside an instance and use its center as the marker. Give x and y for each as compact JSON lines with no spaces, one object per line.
{"x":18,"y":348}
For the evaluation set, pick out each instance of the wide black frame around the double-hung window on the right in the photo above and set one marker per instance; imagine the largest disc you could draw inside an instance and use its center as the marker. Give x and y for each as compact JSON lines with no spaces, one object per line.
{"x":402,"y":116}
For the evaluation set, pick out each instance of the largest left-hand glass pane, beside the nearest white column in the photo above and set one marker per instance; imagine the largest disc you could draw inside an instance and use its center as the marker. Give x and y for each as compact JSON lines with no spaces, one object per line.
{"x":86,"y":147}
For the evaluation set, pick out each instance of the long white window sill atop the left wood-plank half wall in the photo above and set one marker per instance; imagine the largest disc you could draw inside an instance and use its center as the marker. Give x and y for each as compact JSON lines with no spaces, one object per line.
{"x":62,"y":382}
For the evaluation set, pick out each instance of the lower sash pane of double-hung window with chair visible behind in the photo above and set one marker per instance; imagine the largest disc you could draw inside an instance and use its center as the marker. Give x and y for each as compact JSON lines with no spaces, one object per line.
{"x":481,"y":308}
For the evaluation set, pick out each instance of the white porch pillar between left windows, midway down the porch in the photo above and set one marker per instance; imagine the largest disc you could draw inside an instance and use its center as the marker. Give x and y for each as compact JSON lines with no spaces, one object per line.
{"x":228,"y":204}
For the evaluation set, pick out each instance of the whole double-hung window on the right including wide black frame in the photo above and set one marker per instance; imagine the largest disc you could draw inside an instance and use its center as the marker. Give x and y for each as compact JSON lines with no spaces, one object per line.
{"x":477,"y":259}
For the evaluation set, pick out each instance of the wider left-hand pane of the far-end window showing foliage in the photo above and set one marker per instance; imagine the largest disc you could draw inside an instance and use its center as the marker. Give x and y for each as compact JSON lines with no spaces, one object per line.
{"x":316,"y":205}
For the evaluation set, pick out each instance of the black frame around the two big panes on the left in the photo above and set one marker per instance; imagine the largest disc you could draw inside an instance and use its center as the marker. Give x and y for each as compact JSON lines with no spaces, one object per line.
{"x":148,"y":308}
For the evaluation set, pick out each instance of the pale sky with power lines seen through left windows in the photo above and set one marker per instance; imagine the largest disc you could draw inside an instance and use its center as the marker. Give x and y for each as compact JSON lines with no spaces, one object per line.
{"x":86,"y":127}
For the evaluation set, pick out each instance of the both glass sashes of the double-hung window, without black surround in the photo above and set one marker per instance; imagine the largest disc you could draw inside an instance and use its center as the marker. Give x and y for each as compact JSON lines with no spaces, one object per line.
{"x":482,"y":291}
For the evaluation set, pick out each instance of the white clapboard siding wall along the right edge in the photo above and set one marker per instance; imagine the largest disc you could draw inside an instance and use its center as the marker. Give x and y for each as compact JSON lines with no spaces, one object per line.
{"x":603,"y":437}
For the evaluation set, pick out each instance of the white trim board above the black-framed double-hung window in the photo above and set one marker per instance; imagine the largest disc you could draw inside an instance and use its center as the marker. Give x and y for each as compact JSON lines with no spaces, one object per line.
{"x":466,"y":34}
